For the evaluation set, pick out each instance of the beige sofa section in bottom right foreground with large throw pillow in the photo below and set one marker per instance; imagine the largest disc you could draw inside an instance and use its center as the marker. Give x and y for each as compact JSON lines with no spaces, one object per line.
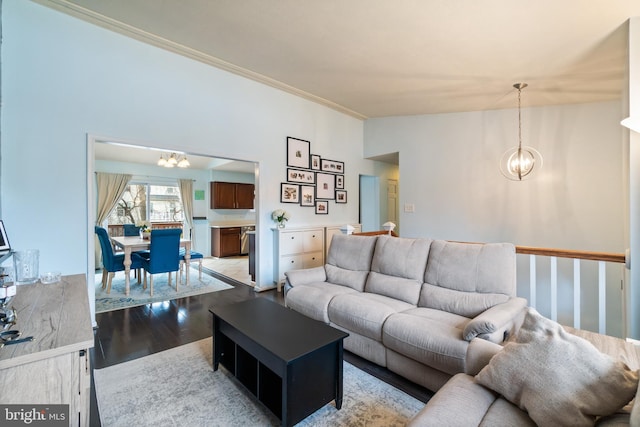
{"x":547,"y":375}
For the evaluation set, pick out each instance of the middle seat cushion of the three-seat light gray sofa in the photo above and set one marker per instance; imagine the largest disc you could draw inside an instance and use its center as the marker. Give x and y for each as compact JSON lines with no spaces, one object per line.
{"x":364,"y":313}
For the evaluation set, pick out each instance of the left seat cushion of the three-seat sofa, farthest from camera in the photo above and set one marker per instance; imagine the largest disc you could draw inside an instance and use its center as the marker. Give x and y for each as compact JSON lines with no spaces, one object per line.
{"x":313,"y":299}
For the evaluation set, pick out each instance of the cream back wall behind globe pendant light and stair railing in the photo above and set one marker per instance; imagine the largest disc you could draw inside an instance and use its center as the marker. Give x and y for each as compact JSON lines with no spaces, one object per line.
{"x":449,"y":169}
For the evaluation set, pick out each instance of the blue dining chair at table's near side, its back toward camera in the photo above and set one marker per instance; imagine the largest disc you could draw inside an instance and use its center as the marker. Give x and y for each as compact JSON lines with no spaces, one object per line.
{"x":163,"y":256}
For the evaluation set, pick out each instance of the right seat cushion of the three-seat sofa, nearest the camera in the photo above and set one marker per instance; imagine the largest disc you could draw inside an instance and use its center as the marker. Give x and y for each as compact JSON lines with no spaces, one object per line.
{"x":431,"y":337}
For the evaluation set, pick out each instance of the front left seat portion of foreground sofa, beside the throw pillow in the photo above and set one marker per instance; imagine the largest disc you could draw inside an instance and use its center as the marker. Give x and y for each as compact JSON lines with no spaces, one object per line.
{"x":460,"y":402}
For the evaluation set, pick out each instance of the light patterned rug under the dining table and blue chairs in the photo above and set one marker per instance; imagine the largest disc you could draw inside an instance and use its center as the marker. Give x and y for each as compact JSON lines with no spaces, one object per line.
{"x":116,"y":299}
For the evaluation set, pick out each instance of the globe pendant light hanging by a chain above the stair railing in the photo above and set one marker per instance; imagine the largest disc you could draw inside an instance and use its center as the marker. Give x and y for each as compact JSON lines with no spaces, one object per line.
{"x":519,"y":162}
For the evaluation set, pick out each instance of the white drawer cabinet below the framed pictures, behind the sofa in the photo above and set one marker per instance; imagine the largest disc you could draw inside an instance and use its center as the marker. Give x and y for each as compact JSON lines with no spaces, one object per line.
{"x":295,"y":249}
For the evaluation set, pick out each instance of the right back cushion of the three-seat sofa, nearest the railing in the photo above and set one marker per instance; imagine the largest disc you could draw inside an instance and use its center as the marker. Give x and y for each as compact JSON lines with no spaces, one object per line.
{"x":468,"y":278}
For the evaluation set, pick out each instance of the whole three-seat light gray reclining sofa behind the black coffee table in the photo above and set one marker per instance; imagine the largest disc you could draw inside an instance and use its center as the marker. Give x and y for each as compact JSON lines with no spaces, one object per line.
{"x":412,"y":305}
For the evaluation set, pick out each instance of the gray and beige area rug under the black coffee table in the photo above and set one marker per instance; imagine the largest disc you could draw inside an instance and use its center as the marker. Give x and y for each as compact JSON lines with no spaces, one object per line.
{"x":178,"y":387}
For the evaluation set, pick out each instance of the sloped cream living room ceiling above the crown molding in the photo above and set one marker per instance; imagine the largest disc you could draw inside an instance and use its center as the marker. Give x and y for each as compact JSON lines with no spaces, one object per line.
{"x":375,"y":58}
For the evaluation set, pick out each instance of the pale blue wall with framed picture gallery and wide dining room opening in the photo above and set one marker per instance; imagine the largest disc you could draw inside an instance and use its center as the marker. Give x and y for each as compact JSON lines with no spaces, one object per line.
{"x":63,"y":78}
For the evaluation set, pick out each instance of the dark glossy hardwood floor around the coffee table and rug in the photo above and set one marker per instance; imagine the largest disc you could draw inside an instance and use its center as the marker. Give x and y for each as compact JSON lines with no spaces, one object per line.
{"x":135,"y":332}
